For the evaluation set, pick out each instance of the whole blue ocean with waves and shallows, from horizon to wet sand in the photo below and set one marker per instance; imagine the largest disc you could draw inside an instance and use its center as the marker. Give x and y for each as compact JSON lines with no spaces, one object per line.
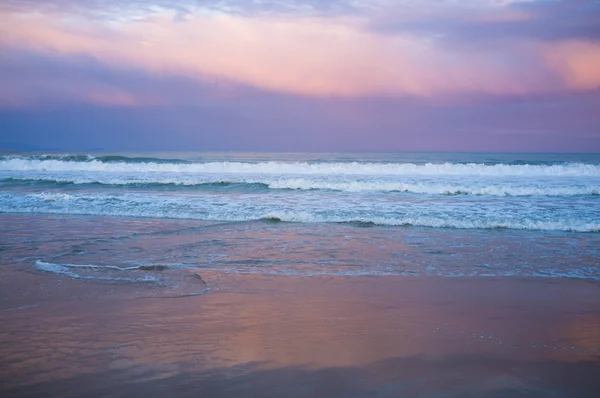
{"x":101,"y":217}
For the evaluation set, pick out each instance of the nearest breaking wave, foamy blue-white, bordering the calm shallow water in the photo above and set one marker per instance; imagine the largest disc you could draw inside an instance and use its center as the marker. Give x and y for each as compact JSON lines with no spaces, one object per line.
{"x":156,"y":207}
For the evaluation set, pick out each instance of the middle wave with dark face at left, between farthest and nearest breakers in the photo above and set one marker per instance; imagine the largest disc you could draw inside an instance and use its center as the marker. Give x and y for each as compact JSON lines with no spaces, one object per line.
{"x":305,"y":184}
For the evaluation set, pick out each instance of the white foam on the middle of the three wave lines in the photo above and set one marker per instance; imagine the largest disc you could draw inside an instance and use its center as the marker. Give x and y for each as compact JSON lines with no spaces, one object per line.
{"x":442,"y":186}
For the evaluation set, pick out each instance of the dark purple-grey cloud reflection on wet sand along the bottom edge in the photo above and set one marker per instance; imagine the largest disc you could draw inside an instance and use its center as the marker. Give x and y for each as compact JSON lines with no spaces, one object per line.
{"x":452,"y":377}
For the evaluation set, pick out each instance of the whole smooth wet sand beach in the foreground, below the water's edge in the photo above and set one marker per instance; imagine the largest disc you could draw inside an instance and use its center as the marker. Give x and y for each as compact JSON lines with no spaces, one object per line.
{"x":287,"y":336}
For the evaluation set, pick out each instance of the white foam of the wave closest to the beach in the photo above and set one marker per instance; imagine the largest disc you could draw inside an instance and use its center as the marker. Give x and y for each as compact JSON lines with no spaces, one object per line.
{"x":375,"y":210}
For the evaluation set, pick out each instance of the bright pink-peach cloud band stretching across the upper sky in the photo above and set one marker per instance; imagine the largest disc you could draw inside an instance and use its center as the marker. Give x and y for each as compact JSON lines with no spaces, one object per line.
{"x":320,"y":57}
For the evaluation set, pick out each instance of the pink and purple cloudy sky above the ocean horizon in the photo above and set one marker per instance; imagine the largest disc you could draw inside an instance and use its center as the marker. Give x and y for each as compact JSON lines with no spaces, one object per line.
{"x":293,"y":75}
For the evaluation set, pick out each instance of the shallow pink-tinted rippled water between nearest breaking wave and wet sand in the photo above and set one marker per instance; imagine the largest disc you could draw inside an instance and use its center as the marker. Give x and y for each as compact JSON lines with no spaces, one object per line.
{"x":80,"y":246}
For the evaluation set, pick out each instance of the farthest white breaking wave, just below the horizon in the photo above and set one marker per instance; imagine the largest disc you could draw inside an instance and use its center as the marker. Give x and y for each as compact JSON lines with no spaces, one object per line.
{"x":143,"y":165}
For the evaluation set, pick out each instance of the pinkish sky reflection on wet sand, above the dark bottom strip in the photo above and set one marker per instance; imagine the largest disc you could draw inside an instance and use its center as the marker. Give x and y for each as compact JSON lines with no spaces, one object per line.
{"x":288,"y":322}
